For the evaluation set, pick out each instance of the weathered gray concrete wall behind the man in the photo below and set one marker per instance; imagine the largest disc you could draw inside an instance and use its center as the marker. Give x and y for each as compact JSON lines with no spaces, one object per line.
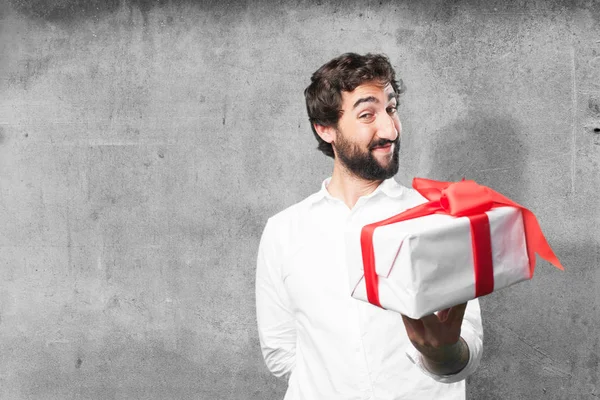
{"x":144,"y":144}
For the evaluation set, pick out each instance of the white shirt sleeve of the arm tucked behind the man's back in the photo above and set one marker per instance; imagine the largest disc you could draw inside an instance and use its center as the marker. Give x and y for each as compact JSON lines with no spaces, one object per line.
{"x":276,"y":323}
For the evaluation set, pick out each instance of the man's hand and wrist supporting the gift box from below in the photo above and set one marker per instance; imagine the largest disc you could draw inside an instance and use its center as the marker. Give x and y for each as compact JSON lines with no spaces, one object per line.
{"x":438,"y":339}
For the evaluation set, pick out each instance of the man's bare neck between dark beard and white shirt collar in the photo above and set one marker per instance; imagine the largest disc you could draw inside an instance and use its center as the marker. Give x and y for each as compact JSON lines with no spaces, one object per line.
{"x":348,"y":187}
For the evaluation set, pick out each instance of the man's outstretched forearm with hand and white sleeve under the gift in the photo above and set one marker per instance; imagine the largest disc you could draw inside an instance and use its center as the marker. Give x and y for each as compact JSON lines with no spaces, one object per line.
{"x":450,"y":343}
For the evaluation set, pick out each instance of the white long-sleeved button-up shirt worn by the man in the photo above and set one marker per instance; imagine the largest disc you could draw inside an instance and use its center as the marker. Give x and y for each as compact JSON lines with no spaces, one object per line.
{"x":329,"y":345}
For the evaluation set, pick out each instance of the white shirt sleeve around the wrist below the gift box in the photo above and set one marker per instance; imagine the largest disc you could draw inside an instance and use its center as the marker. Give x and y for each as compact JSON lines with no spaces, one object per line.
{"x":472,"y":333}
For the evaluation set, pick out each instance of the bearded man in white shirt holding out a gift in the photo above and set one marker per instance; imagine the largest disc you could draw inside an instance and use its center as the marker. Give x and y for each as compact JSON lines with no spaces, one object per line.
{"x":329,"y":345}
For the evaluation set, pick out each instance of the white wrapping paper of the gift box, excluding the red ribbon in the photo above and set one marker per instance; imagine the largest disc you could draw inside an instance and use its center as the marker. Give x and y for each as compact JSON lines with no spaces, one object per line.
{"x":426,"y":264}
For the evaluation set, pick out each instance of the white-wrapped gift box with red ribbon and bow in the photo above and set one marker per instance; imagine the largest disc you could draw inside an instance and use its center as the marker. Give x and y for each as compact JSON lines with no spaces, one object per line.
{"x":465,"y":242}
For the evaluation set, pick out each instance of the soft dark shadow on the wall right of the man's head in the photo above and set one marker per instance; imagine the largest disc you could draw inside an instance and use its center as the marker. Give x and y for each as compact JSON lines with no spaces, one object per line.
{"x":483,"y":147}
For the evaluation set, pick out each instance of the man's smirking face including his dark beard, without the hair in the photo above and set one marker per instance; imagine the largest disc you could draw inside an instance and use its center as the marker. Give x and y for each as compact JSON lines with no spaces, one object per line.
{"x":367,"y":138}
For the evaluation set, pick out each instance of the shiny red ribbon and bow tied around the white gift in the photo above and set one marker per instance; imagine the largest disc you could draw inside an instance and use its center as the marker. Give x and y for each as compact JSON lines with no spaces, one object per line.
{"x":460,"y":199}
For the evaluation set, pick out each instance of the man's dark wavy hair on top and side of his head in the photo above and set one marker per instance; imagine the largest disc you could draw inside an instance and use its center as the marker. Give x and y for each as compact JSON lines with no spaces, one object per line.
{"x":343,"y":73}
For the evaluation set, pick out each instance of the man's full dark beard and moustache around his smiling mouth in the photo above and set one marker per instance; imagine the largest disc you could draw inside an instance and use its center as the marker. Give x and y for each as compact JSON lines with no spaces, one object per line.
{"x":363,"y":164}
